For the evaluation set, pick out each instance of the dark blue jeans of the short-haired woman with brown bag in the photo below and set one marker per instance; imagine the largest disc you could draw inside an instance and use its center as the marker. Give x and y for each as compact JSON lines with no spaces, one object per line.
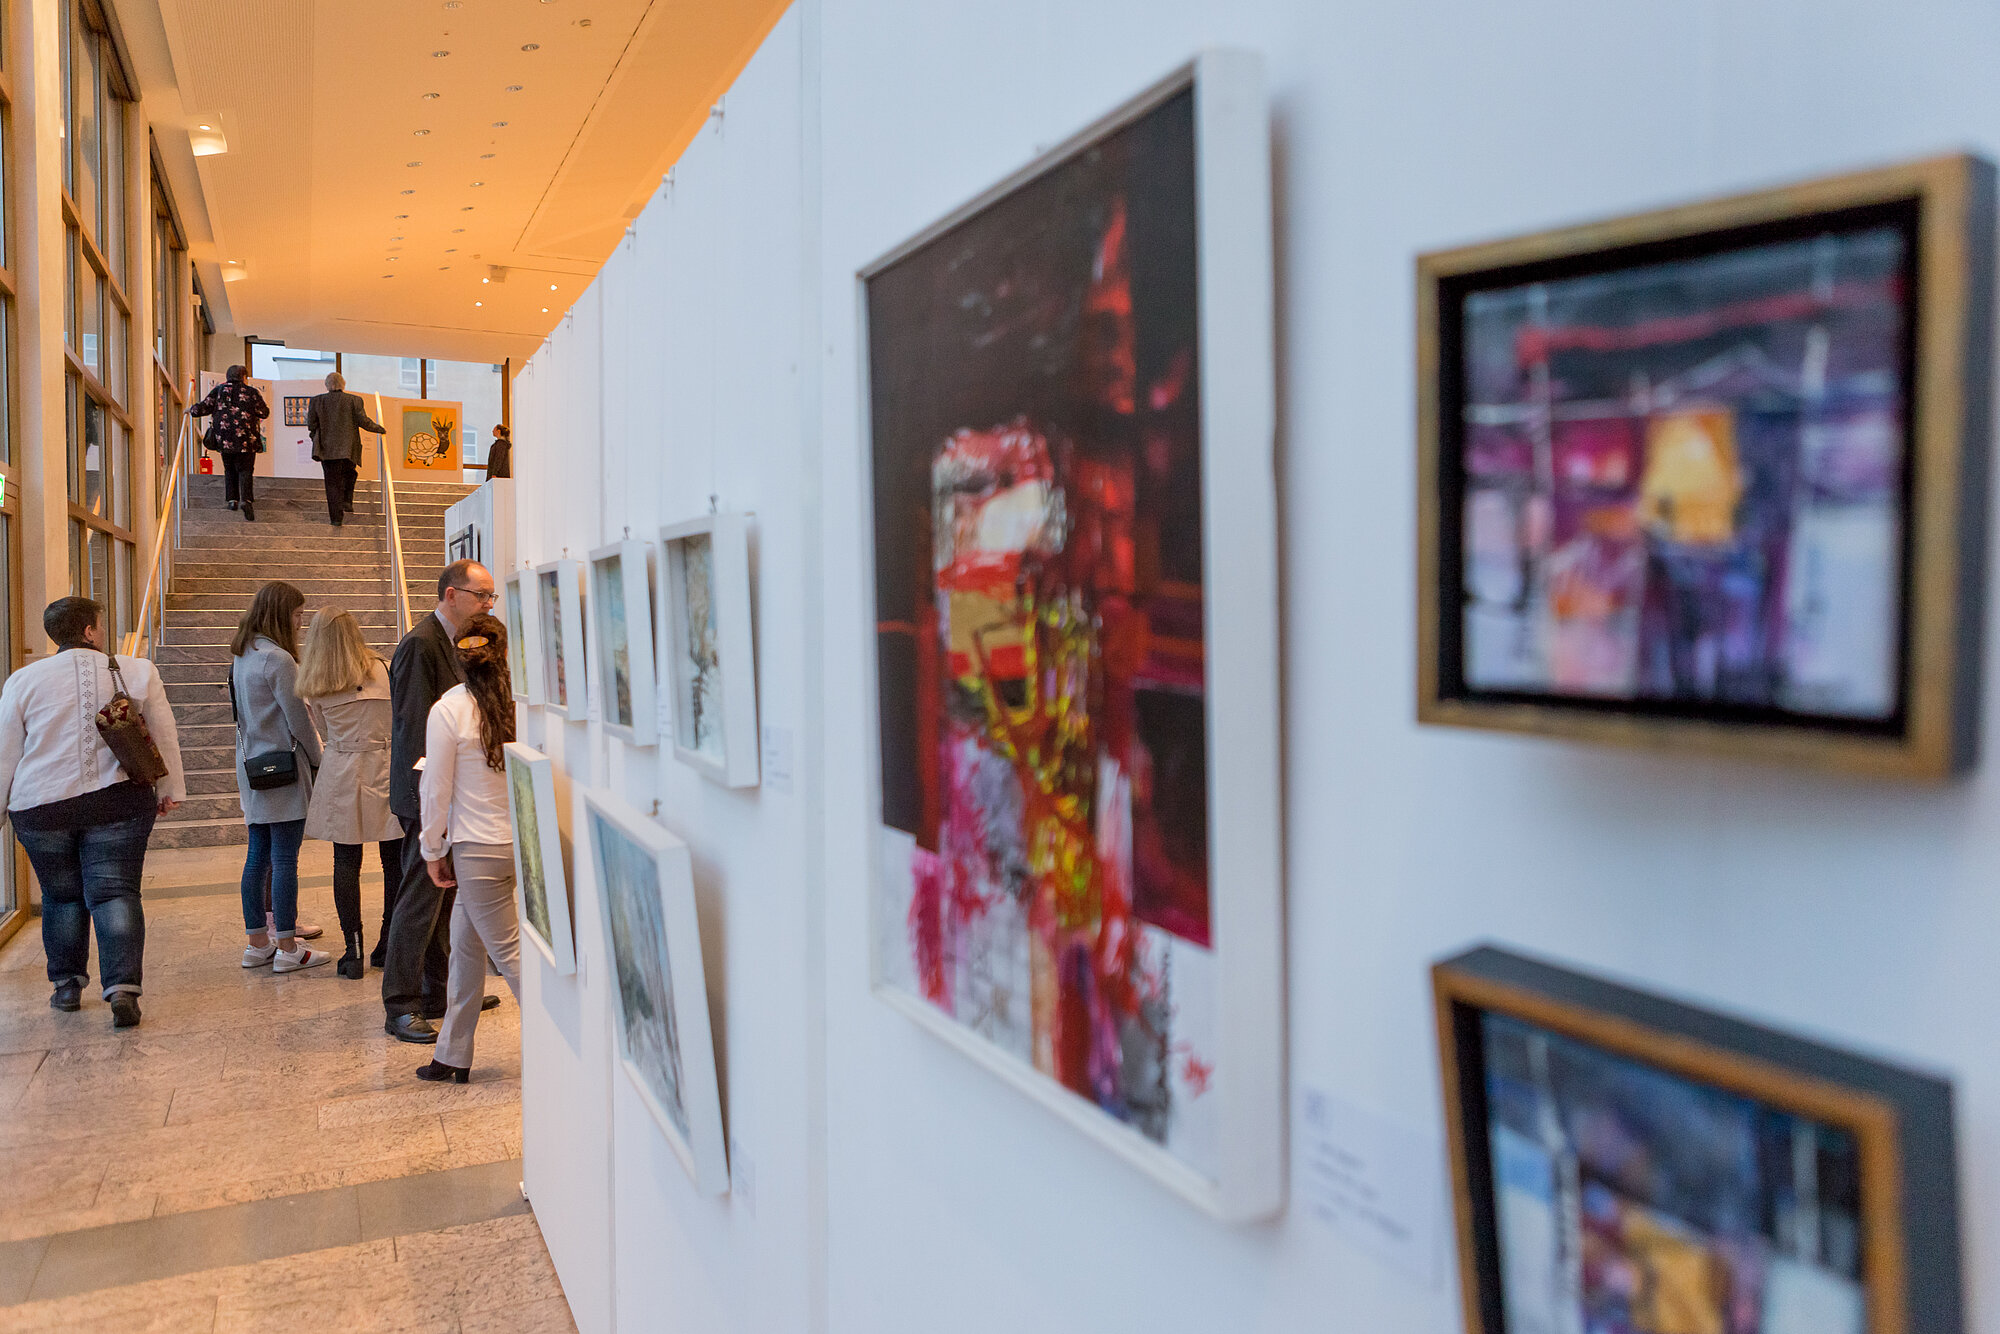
{"x":93,"y":877}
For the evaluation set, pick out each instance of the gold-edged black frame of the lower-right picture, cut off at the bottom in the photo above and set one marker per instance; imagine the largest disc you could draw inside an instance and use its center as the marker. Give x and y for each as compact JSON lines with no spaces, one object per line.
{"x":1899,"y":1119}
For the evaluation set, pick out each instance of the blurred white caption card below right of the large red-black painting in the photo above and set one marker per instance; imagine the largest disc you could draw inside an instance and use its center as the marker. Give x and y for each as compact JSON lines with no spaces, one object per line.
{"x":1373,"y":1183}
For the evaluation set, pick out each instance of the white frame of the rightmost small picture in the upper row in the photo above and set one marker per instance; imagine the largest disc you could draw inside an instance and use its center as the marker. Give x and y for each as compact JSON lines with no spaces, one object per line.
{"x":727,"y":755}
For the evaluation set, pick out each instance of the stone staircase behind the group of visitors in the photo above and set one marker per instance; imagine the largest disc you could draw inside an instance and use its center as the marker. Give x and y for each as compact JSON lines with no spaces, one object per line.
{"x":223,"y":561}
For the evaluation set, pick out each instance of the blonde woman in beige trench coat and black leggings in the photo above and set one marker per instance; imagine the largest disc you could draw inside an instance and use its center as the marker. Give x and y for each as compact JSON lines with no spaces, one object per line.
{"x":345,"y":683}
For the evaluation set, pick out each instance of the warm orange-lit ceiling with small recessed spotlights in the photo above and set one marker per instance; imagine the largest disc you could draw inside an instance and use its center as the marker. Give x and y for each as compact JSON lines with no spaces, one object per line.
{"x":349,"y":197}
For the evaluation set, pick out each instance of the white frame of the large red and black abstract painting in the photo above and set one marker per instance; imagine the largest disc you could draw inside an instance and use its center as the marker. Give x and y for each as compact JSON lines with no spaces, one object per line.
{"x":1239,"y":519}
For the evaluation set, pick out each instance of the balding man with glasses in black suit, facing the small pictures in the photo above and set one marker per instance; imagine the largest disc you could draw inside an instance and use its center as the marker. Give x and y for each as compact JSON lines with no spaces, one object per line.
{"x":425,"y":667}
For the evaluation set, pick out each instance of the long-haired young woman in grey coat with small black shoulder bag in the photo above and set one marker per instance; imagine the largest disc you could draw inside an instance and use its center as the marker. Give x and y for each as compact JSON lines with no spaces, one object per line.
{"x":271,"y":719}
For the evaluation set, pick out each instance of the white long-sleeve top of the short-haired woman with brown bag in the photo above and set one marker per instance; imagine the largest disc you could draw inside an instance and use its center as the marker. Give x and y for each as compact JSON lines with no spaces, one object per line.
{"x":49,"y":729}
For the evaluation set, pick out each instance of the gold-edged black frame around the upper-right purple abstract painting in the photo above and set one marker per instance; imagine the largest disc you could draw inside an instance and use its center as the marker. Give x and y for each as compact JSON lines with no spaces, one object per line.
{"x":1949,"y":213}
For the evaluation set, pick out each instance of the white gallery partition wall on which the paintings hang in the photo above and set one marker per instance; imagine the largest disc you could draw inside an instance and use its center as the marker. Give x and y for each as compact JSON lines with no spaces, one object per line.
{"x":885,"y":1183}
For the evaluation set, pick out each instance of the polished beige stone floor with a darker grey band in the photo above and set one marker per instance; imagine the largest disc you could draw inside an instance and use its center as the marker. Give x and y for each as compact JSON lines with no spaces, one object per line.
{"x":255,"y":1139}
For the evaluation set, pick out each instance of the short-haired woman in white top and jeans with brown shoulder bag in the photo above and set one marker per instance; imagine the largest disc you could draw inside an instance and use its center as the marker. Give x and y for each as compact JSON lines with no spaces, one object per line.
{"x":81,"y":817}
